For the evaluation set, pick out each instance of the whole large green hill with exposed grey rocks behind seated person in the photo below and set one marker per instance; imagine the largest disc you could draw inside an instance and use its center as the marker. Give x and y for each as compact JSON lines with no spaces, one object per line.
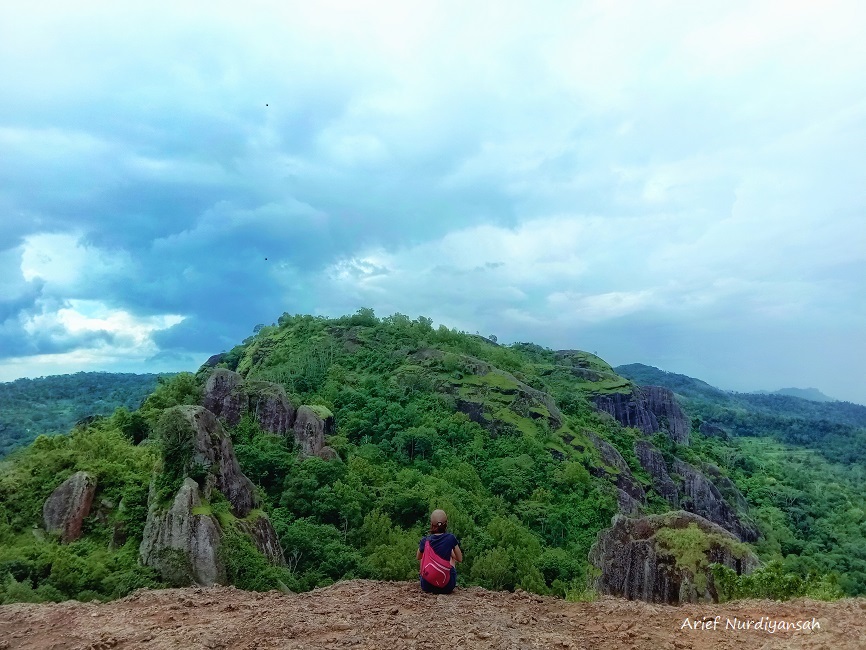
{"x":314,"y":451}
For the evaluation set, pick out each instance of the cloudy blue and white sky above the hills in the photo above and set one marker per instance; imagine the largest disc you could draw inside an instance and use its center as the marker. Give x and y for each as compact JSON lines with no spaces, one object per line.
{"x":681,"y":184}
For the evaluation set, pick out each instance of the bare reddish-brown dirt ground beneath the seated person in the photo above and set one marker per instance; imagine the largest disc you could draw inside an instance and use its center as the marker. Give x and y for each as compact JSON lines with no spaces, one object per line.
{"x":394,"y":616}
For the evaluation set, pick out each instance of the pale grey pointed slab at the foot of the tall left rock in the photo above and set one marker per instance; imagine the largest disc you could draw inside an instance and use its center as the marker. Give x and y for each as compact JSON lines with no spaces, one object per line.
{"x":182,"y":542}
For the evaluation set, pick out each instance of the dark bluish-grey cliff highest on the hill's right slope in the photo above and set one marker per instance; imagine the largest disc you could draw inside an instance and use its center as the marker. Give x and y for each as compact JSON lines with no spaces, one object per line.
{"x":649,"y":409}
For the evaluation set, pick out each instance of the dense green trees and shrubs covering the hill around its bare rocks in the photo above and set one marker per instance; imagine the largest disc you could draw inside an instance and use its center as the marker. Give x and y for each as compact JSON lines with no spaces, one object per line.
{"x":507,"y":439}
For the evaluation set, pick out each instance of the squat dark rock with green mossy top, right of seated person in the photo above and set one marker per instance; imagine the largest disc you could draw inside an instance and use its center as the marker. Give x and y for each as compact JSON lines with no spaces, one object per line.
{"x":641,"y":558}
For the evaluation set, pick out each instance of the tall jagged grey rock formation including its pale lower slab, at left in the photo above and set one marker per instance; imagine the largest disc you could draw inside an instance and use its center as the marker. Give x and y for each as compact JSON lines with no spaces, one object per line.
{"x":182,"y":539}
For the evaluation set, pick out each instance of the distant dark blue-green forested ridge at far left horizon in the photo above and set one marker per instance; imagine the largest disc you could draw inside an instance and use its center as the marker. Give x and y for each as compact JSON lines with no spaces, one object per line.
{"x":31,"y":407}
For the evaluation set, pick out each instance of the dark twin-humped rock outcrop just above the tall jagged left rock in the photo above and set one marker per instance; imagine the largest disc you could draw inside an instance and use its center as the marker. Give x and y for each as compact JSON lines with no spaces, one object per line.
{"x":229,"y":396}
